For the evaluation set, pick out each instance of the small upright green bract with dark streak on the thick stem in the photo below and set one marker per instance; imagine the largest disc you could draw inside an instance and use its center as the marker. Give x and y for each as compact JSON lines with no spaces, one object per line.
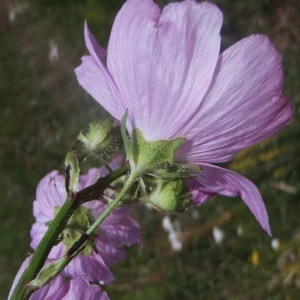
{"x":72,"y":172}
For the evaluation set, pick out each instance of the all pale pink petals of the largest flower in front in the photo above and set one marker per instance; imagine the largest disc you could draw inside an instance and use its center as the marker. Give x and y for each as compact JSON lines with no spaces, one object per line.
{"x":166,"y":70}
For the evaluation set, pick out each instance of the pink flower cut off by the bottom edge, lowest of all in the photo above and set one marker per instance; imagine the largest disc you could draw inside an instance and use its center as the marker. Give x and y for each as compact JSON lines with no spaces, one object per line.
{"x":63,"y":288}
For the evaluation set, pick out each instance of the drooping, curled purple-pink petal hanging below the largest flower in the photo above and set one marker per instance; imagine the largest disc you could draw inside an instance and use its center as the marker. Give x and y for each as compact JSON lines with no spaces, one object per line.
{"x":215,"y":180}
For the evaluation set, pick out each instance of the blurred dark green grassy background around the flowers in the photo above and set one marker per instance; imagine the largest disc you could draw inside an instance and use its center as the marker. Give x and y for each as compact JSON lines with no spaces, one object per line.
{"x":42,"y":109}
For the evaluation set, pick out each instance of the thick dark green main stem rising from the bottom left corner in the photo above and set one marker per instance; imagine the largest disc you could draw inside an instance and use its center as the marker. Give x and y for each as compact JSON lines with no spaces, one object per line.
{"x":40,"y":255}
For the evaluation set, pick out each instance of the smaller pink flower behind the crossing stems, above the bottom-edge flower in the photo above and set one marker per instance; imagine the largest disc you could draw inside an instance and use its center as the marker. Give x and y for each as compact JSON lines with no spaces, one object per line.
{"x":118,"y":229}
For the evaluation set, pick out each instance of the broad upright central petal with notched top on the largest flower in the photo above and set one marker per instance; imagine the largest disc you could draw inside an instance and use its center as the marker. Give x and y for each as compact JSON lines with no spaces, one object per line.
{"x":163,"y":62}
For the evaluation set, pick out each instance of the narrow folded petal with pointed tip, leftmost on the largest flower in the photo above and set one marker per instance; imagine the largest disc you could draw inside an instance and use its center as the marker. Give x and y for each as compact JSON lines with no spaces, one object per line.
{"x":94,"y":77}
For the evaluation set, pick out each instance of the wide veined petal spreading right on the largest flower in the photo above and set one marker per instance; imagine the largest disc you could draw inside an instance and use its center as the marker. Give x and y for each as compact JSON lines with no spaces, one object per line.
{"x":243,"y":106}
